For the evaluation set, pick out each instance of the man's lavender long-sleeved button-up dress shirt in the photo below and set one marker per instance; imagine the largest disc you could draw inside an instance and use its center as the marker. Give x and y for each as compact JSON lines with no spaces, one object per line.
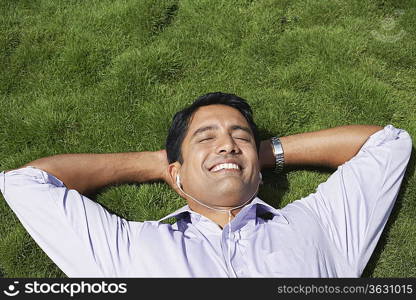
{"x":330,"y":233}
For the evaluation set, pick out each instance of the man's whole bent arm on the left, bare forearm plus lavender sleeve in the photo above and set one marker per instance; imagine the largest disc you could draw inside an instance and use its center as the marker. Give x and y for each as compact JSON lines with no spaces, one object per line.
{"x":81,"y":236}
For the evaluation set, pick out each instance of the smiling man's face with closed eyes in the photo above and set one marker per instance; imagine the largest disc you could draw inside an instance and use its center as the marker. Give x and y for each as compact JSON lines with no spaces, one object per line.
{"x":220,"y":163}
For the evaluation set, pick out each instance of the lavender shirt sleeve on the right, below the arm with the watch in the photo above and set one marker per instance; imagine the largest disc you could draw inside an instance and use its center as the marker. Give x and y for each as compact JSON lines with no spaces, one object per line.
{"x":353,"y":205}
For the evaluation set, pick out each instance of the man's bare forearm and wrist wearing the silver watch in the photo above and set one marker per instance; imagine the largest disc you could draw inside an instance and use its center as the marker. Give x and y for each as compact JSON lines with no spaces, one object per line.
{"x":328,"y":148}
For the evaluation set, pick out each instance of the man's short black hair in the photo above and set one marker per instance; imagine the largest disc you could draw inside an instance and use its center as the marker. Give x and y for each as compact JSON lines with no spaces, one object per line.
{"x":180,"y":121}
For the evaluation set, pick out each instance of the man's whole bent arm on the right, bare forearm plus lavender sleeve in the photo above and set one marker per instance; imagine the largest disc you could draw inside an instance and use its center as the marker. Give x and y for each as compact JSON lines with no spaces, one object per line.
{"x":352,"y":206}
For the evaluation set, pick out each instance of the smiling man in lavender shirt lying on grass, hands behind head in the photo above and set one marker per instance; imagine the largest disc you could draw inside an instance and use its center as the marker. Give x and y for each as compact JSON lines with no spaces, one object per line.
{"x":213,"y":159}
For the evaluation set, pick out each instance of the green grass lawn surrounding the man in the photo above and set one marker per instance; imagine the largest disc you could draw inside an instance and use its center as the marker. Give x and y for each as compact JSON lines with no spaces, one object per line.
{"x":107,"y":76}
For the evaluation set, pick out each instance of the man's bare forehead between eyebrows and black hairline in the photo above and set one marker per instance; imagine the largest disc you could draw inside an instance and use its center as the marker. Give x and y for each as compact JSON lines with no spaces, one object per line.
{"x":216,"y":114}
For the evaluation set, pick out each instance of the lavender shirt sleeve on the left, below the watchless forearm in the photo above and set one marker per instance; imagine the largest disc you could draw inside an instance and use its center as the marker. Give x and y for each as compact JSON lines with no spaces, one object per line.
{"x":78,"y":234}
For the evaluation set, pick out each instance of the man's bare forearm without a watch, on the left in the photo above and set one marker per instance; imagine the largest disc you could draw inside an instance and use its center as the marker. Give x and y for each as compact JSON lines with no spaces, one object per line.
{"x":88,"y":172}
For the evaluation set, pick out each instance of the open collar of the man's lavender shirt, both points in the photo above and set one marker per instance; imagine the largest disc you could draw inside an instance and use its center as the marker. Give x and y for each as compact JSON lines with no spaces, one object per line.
{"x":254,"y":208}
